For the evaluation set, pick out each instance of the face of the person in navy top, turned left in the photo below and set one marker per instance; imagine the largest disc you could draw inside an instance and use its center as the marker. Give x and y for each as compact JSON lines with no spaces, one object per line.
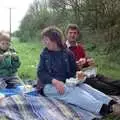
{"x":49,"y":44}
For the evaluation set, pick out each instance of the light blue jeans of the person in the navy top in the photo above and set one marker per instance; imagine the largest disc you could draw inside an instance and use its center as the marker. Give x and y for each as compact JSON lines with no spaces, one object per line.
{"x":83,"y":96}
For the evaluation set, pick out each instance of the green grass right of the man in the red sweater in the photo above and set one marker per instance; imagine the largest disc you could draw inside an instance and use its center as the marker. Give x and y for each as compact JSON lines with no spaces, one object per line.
{"x":106,"y":67}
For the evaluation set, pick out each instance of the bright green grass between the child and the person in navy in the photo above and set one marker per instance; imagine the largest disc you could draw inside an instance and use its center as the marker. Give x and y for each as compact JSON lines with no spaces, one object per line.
{"x":29,"y":56}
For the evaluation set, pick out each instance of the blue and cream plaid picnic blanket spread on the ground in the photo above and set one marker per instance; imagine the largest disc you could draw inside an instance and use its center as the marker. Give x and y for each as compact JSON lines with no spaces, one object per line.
{"x":31,"y":105}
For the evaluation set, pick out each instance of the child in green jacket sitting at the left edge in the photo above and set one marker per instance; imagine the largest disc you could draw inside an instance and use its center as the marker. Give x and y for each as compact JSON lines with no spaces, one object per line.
{"x":9,"y":63}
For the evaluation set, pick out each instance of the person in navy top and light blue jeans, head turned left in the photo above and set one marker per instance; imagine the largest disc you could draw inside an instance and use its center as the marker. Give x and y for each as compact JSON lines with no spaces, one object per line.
{"x":55,"y":66}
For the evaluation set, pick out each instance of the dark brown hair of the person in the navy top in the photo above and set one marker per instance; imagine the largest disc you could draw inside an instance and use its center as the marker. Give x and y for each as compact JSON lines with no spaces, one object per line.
{"x":55,"y":34}
